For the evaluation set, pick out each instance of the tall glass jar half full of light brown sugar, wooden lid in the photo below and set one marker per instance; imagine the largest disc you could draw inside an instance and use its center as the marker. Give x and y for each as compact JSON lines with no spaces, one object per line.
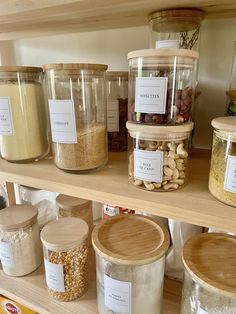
{"x":77,"y":107}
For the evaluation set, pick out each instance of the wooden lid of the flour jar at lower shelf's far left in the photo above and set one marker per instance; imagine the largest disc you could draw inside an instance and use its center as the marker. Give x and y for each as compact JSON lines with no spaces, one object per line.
{"x":17,"y":216}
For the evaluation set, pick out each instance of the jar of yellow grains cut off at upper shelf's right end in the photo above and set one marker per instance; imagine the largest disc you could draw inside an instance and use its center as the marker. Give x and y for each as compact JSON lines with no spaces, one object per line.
{"x":222,"y":178}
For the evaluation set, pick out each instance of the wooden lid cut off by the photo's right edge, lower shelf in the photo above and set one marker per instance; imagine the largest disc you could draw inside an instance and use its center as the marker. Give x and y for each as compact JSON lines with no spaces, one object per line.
{"x":210,"y":258}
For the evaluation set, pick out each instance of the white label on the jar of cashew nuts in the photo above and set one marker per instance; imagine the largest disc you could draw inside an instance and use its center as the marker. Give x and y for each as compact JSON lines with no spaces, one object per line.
{"x":148,"y":165}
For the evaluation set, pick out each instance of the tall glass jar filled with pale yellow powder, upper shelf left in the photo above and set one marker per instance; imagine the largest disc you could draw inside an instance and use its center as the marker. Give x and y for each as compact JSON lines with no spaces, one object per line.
{"x":23,"y":118}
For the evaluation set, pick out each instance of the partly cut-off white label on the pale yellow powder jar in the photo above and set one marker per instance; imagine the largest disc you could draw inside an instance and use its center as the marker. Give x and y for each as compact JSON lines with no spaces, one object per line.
{"x":6,"y":124}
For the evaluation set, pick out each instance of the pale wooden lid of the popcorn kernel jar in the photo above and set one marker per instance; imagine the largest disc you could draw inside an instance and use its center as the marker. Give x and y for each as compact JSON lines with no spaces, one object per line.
{"x":64,"y":234}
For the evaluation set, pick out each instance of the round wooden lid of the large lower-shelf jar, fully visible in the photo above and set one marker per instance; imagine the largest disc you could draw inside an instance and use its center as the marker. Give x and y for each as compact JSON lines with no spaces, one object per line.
{"x":130,"y":239}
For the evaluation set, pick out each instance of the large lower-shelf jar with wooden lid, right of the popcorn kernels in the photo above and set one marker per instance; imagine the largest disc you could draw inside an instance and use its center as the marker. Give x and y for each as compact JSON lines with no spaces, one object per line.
{"x":130,"y":261}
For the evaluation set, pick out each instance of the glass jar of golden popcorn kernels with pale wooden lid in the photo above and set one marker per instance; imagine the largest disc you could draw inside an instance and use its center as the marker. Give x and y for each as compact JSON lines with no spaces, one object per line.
{"x":66,"y":258}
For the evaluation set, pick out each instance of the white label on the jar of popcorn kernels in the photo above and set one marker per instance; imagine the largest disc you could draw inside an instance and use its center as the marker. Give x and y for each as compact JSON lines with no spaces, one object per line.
{"x":54,"y":276}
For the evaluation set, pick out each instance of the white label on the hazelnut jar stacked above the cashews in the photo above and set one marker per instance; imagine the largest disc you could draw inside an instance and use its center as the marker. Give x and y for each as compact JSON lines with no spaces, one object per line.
{"x":150,"y":94}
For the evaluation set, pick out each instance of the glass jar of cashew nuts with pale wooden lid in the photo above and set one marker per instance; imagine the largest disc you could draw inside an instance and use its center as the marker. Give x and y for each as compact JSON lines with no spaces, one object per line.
{"x":158,"y":156}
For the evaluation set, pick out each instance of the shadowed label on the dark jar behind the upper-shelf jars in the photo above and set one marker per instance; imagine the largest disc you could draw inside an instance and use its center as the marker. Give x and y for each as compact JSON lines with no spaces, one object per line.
{"x":113,"y":116}
